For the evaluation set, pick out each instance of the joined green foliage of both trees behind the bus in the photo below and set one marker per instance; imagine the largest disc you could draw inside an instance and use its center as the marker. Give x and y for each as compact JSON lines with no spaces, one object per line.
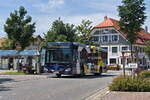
{"x":61,"y":32}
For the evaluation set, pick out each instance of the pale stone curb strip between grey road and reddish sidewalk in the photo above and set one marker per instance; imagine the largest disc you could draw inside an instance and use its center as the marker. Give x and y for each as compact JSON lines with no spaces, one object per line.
{"x":98,"y":95}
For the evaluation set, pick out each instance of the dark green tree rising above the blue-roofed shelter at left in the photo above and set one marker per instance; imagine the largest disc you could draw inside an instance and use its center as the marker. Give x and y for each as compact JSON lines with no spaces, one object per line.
{"x":19,"y":28}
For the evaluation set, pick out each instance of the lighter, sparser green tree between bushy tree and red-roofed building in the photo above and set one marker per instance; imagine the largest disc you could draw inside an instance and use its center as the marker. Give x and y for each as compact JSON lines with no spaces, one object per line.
{"x":84,"y":32}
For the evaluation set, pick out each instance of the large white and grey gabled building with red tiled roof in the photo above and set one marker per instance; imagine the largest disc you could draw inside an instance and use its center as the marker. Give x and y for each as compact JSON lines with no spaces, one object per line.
{"x":110,"y":37}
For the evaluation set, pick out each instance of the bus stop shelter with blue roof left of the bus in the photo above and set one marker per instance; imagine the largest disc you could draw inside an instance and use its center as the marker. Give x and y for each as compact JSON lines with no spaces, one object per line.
{"x":26,"y":57}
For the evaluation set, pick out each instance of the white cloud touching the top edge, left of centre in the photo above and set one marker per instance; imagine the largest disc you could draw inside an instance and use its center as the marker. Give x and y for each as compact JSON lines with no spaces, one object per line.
{"x":45,"y":7}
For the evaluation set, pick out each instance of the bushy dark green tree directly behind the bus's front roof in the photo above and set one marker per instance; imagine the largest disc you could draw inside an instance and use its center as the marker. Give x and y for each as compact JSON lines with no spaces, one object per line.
{"x":60,"y":32}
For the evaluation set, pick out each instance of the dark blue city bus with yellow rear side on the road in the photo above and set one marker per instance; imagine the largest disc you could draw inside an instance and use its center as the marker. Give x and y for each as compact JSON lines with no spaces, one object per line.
{"x":70,"y":58}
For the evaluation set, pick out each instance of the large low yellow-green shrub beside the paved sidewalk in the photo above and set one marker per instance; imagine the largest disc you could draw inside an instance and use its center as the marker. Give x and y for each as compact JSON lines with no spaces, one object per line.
{"x":130,"y":84}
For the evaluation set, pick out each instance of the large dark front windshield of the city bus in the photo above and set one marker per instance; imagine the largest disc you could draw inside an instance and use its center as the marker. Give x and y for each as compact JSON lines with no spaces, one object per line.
{"x":61,"y":55}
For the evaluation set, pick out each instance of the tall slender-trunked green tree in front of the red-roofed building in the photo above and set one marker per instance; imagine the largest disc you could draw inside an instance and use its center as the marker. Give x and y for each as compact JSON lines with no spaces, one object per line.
{"x":132,"y":17}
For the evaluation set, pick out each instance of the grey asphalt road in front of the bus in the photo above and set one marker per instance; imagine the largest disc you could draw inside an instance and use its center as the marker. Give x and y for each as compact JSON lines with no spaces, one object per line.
{"x":65,"y":88}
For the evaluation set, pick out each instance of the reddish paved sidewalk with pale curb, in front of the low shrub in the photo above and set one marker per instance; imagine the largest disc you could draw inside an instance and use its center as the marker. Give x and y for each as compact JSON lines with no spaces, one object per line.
{"x":105,"y":94}
